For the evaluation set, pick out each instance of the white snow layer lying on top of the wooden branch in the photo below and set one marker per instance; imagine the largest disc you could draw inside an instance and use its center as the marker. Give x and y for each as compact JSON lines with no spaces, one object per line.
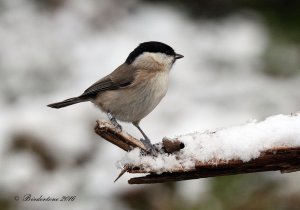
{"x":244,"y":142}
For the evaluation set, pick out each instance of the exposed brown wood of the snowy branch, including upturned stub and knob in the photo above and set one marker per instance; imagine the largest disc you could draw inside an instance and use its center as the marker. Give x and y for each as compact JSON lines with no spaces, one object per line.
{"x":284,"y":159}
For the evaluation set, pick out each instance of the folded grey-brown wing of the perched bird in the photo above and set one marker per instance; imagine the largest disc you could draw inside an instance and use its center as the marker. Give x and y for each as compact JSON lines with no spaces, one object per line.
{"x":122,"y":77}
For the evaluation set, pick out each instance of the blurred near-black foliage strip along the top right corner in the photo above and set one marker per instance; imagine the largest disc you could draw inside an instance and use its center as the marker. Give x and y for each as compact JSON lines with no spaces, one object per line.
{"x":281,"y":16}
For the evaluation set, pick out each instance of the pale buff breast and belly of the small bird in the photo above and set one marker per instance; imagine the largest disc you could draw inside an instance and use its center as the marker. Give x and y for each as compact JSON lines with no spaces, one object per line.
{"x":133,"y":104}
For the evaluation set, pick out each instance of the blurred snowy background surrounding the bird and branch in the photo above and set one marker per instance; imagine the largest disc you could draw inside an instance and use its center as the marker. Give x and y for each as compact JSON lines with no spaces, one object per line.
{"x":242,"y":61}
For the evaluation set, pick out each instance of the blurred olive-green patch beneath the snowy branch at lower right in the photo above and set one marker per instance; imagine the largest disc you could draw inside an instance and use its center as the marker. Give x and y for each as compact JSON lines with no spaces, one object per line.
{"x":252,"y":192}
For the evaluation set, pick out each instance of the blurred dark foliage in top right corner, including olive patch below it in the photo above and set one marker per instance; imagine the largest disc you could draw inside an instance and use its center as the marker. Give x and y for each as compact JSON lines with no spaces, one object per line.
{"x":282,"y":19}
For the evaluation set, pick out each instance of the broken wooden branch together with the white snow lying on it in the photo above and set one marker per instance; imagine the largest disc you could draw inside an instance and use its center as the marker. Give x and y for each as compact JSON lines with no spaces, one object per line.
{"x":269,"y":145}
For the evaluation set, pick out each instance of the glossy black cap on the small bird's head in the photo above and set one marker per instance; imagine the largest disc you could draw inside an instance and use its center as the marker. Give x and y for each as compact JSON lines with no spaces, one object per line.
{"x":151,"y":46}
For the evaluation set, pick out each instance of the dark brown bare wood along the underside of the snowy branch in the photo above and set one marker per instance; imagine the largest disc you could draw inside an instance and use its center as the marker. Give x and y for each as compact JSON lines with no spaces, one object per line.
{"x":283,"y":159}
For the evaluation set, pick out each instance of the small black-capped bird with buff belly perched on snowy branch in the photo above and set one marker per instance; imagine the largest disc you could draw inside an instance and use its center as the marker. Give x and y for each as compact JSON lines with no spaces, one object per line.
{"x":134,"y":89}
